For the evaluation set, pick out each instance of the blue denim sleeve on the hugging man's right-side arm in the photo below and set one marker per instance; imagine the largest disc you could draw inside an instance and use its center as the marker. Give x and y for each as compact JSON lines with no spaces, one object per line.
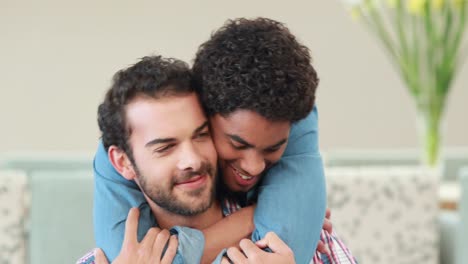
{"x":292,"y":196}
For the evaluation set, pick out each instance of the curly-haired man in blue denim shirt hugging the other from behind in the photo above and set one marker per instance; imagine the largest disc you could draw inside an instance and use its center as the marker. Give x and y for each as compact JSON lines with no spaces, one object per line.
{"x":257,"y":86}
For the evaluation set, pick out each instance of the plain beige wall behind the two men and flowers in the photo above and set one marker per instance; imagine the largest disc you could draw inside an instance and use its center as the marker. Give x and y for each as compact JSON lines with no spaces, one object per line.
{"x":57,"y":58}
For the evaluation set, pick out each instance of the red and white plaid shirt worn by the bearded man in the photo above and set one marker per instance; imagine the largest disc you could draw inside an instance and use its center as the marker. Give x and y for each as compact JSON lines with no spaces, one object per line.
{"x":338,"y":252}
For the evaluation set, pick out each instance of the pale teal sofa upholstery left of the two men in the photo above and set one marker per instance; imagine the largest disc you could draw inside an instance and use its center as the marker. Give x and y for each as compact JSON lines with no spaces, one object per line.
{"x":59,"y":221}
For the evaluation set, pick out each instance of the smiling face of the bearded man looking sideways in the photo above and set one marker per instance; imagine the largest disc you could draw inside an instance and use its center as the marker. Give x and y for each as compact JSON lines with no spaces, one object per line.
{"x":174,"y":156}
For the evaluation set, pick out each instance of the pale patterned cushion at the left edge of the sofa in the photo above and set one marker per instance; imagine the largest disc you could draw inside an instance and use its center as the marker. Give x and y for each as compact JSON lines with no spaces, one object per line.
{"x":13,"y":208}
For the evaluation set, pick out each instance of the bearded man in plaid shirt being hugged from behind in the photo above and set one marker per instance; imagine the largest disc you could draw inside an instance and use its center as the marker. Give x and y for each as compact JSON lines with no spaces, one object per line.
{"x":172,"y":159}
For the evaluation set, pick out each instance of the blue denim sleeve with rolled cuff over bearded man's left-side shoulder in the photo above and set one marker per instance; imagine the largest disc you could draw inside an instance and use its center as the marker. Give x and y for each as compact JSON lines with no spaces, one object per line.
{"x":114,"y":196}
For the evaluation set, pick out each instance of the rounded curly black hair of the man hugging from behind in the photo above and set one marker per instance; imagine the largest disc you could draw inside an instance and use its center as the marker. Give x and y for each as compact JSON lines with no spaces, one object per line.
{"x":255,"y":65}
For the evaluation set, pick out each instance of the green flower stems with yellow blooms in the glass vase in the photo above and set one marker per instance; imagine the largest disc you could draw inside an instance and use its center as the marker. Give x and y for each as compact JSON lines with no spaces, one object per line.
{"x":423,"y":39}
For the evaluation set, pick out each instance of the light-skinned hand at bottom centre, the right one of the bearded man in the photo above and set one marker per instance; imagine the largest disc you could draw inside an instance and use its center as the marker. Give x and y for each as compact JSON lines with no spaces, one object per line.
{"x":253,"y":253}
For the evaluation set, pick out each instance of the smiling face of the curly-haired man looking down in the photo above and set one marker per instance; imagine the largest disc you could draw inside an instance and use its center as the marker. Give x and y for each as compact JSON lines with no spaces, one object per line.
{"x":247,"y":145}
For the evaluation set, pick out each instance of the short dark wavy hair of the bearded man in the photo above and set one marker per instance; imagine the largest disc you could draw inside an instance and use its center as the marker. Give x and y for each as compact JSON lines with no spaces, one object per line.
{"x":152,"y":76}
